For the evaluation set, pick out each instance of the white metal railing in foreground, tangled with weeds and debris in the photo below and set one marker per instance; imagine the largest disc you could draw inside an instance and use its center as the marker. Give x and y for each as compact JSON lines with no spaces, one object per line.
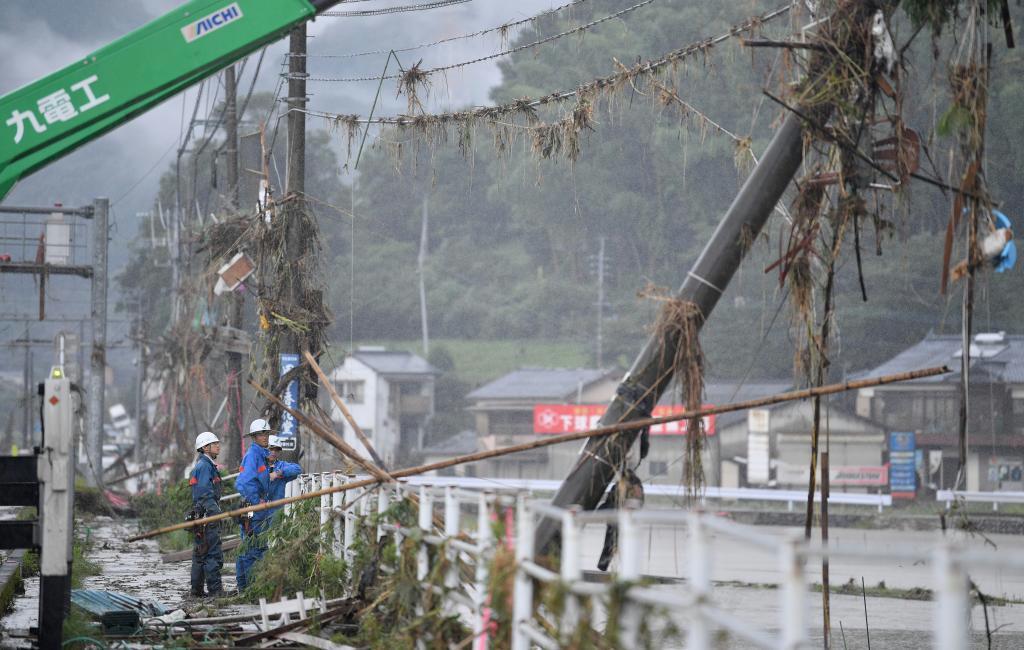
{"x":696,"y":612}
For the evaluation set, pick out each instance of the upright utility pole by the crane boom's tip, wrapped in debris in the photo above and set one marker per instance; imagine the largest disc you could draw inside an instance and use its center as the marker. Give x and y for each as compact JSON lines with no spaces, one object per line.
{"x":296,"y":187}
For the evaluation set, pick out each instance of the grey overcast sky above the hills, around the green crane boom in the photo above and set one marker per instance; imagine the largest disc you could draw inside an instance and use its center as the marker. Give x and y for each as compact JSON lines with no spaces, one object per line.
{"x":38,"y":37}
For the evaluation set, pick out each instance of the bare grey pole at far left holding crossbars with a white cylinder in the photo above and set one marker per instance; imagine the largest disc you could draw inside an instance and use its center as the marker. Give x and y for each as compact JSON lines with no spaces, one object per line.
{"x":98,"y":378}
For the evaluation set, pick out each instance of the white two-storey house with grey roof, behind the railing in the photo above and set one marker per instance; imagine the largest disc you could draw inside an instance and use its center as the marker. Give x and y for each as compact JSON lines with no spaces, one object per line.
{"x":392,"y":397}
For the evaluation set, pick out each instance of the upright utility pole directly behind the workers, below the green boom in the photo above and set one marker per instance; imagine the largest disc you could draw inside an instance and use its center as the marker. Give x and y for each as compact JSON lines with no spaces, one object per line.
{"x":236,"y":418}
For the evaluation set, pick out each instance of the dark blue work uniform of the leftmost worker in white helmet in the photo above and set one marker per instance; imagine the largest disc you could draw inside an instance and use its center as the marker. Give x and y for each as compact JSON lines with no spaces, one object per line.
{"x":208,"y":557}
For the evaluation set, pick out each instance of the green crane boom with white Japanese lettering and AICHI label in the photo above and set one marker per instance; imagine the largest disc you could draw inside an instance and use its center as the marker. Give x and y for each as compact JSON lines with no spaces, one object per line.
{"x":54,"y":116}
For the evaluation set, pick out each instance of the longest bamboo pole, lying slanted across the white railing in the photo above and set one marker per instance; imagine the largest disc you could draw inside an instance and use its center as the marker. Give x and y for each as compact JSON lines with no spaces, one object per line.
{"x":569,"y":438}
